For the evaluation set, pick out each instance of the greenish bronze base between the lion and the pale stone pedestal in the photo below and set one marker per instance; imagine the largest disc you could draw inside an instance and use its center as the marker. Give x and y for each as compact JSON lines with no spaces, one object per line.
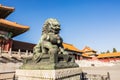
{"x":58,"y":61}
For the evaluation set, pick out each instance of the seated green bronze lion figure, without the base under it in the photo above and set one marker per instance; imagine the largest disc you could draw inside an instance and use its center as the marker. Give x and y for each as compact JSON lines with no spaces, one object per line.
{"x":50,"y":42}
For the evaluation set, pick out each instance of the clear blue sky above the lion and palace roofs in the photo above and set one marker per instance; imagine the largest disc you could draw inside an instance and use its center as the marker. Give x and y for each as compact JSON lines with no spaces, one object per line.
{"x":93,"y":23}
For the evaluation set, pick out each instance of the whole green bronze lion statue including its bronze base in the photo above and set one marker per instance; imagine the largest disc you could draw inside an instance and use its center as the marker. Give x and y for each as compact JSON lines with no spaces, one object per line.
{"x":49,"y":52}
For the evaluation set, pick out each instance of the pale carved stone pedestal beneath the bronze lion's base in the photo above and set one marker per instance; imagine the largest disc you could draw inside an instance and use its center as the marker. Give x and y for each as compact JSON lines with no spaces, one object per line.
{"x":59,"y":74}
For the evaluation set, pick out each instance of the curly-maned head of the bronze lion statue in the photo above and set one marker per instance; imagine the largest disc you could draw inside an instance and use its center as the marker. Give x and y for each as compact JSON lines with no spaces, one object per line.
{"x":51,"y":25}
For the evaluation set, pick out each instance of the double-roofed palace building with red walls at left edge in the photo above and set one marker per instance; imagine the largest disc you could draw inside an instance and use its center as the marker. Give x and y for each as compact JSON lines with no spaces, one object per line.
{"x":8,"y":29}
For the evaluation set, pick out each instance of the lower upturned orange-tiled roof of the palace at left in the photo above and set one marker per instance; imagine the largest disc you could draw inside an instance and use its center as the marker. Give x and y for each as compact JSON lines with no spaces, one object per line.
{"x":13,"y":27}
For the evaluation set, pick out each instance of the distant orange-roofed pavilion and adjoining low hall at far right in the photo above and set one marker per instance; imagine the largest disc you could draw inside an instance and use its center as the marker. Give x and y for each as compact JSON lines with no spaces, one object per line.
{"x":90,"y":54}
